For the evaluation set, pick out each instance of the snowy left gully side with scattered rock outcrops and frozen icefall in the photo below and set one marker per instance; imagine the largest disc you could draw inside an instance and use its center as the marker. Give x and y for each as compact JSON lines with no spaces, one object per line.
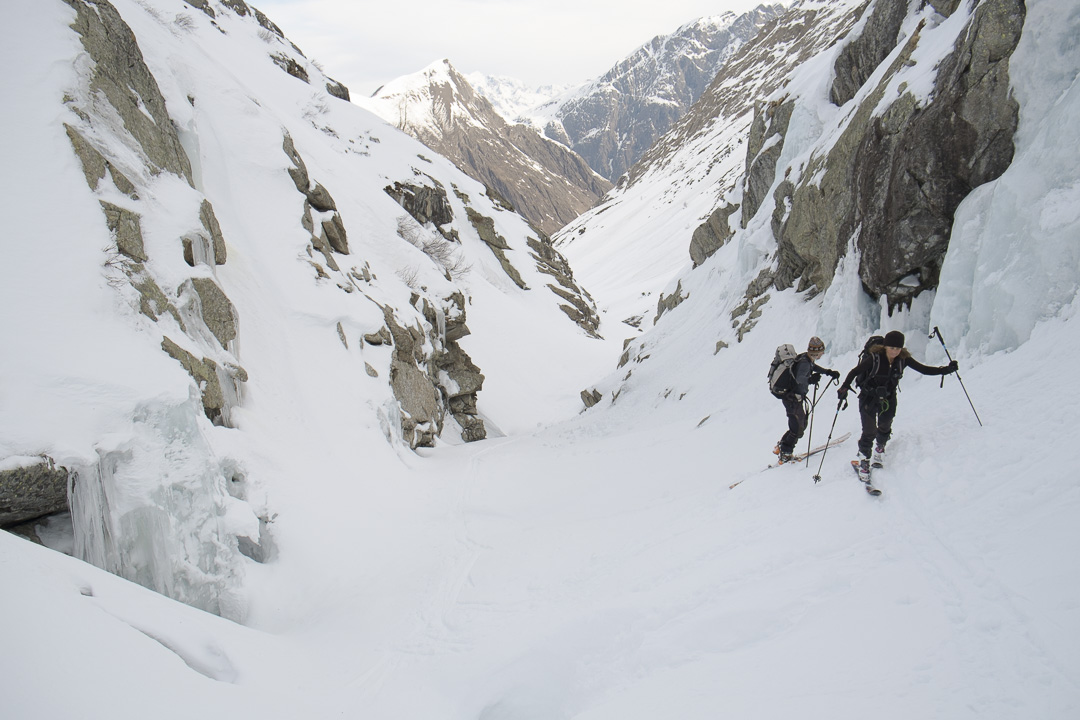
{"x":332,"y":361}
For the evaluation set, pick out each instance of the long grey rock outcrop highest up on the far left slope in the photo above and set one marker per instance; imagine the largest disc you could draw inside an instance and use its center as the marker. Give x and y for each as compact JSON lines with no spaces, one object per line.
{"x":132,"y":92}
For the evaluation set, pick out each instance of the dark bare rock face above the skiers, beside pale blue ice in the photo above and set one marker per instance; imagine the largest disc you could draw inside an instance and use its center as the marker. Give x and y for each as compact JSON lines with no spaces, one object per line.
{"x":894,"y":182}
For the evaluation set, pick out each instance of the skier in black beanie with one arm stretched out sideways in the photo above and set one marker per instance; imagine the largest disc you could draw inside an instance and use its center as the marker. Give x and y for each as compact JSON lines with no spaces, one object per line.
{"x":879,"y":376}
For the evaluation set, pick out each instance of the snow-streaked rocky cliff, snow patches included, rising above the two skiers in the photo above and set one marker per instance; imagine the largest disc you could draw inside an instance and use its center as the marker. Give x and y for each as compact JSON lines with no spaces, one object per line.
{"x":906,"y":152}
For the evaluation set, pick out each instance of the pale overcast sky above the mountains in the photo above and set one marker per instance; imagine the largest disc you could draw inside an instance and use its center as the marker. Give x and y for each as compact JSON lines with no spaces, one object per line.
{"x":366,"y":44}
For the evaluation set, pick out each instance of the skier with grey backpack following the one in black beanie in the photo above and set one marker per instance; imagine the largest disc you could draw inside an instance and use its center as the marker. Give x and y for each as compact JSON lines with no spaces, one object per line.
{"x":791,"y":376}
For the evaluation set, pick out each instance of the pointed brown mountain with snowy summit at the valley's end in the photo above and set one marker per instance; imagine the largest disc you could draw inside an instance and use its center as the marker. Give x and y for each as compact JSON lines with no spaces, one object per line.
{"x":546,"y":183}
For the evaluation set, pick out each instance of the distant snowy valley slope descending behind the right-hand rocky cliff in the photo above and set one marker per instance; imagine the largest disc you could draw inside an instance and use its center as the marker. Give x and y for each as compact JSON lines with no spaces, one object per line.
{"x":681,"y":181}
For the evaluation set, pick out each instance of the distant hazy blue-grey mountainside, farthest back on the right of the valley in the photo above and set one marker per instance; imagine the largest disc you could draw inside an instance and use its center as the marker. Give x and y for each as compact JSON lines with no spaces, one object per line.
{"x":637,"y":102}
